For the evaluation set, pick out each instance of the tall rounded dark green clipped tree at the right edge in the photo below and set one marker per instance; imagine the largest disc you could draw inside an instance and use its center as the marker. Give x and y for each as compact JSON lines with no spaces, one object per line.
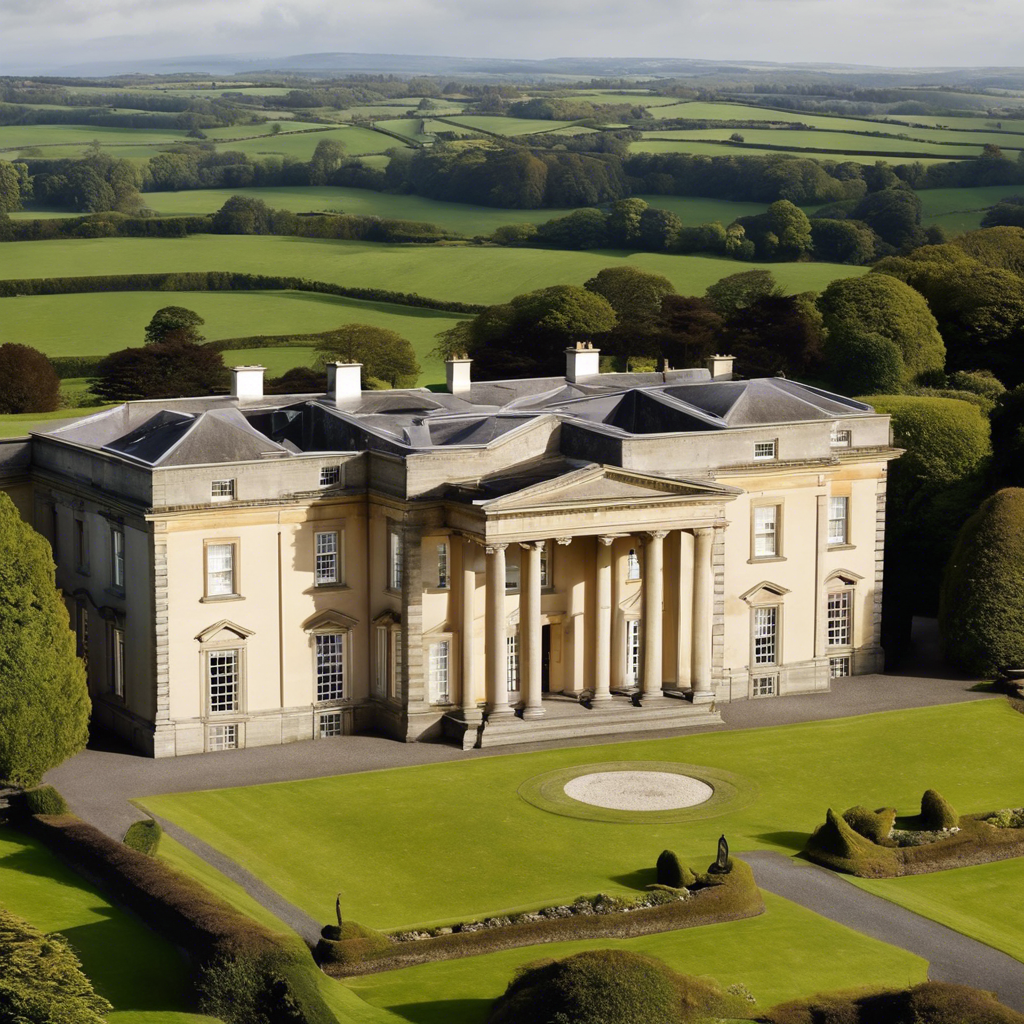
{"x":982,"y":615}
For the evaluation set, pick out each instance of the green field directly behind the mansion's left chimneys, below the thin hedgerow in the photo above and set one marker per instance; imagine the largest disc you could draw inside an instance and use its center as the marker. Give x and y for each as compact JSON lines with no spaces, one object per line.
{"x":106,"y":322}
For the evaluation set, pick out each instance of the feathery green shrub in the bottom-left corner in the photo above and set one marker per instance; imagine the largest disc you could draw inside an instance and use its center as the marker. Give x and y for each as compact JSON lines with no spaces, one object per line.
{"x":41,"y":979}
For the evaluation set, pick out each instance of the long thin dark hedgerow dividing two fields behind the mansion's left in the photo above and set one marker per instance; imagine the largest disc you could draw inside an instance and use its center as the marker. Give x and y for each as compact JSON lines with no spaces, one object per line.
{"x":221,"y":281}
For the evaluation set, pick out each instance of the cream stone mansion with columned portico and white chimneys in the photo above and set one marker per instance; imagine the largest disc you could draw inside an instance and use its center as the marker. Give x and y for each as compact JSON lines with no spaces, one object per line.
{"x":498,"y":563}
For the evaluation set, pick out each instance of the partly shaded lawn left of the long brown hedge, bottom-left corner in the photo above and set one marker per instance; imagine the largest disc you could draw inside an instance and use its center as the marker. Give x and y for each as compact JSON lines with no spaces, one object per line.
{"x":146,"y":978}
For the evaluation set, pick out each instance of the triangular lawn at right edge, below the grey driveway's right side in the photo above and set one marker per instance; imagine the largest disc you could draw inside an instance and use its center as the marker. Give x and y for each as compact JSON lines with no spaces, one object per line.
{"x":984,"y":903}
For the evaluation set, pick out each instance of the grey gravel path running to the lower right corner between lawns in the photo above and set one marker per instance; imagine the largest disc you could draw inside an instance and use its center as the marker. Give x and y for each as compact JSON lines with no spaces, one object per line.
{"x":952,"y":957}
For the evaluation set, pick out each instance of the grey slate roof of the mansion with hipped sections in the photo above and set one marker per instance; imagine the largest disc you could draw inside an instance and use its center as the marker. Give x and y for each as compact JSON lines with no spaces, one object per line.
{"x":221,"y":430}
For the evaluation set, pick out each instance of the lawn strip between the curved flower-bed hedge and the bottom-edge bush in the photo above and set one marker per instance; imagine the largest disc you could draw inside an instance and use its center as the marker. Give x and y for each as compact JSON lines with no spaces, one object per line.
{"x":778,"y":956}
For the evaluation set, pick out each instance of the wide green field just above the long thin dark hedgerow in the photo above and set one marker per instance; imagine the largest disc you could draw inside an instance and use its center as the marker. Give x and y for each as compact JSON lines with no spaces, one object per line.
{"x":467,"y":274}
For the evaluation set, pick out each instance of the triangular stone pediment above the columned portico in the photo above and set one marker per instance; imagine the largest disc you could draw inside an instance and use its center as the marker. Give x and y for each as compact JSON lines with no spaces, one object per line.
{"x":608,"y":486}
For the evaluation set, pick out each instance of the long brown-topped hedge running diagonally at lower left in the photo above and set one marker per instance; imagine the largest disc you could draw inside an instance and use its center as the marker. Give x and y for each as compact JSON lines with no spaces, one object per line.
{"x":280,"y":985}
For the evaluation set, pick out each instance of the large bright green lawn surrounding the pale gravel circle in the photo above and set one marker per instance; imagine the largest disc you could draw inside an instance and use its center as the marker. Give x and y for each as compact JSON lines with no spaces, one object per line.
{"x":502,"y":854}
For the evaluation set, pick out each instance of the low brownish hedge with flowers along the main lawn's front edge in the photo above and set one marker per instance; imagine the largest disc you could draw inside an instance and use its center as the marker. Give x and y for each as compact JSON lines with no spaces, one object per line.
{"x":717,"y":899}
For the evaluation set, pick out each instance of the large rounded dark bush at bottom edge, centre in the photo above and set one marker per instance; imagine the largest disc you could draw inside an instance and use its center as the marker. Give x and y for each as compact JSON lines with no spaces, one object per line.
{"x":612,"y":987}
